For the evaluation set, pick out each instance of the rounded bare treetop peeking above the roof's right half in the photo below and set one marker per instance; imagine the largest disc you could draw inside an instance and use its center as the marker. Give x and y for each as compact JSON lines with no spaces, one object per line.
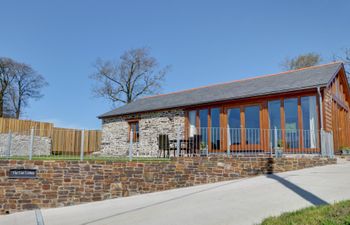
{"x":301,"y":61}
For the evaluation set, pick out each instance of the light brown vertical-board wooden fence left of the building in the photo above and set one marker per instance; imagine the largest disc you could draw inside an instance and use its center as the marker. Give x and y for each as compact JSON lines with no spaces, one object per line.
{"x":63,"y":140}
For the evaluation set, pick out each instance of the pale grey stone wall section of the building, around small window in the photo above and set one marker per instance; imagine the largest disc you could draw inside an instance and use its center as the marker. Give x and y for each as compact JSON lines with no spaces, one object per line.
{"x":151,"y":125}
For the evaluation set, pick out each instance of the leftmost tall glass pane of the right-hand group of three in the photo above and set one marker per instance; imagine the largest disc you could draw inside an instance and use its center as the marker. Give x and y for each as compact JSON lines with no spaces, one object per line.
{"x":275,"y":123}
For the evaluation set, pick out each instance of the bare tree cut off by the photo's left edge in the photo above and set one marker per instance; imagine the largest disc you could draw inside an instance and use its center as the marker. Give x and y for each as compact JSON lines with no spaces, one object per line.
{"x":7,"y":75}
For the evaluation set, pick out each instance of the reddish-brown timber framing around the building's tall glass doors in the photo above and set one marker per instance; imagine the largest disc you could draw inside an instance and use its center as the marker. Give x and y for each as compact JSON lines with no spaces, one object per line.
{"x":264,"y":117}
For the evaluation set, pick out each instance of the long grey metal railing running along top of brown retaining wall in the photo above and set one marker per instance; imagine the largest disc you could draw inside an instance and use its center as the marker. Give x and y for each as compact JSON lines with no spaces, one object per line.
{"x":202,"y":141}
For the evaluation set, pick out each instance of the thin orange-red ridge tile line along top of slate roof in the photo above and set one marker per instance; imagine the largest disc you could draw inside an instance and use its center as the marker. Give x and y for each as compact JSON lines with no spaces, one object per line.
{"x":244,"y":79}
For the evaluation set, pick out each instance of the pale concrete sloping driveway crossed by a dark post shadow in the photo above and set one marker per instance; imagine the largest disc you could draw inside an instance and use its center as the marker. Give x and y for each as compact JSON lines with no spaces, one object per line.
{"x":245,"y":201}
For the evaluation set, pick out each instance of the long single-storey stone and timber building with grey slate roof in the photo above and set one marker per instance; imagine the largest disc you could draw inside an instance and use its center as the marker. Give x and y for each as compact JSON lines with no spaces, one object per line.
{"x":239,"y":115}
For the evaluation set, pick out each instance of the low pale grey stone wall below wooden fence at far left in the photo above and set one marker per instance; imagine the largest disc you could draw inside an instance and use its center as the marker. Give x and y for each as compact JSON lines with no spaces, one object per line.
{"x":20,"y":145}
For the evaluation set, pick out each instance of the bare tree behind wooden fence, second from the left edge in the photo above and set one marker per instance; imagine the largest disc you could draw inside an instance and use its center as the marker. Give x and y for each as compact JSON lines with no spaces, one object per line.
{"x":26,"y":85}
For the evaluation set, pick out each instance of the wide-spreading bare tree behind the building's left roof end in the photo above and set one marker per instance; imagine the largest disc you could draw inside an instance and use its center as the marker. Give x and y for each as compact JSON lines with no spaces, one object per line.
{"x":135,"y":75}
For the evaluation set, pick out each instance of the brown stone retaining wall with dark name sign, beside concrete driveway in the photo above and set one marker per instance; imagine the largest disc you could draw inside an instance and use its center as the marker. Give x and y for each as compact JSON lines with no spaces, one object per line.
{"x":62,"y":183}
